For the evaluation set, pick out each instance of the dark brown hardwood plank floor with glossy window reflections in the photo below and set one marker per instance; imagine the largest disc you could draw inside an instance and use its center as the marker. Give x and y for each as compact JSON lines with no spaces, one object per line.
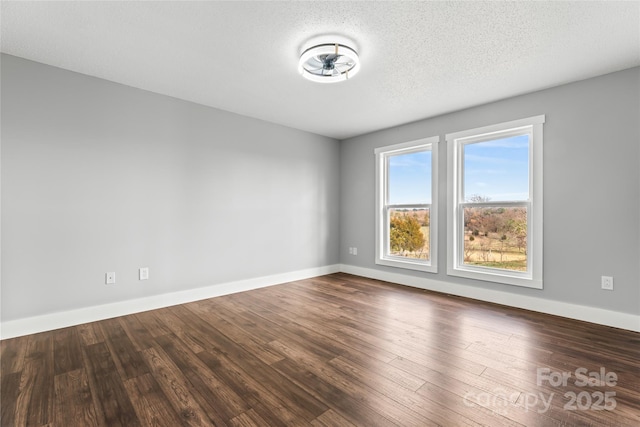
{"x":337,"y":350}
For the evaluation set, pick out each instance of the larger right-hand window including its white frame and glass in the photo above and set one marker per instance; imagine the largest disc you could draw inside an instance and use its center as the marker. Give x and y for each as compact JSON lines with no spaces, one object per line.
{"x":495,"y":203}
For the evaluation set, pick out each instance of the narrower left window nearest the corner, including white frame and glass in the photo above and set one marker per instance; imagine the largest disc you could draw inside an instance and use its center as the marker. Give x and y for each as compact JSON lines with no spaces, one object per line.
{"x":406,"y":194}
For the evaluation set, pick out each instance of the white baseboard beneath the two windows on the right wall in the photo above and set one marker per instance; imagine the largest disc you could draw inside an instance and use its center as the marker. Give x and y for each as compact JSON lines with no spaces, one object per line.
{"x":572,"y":311}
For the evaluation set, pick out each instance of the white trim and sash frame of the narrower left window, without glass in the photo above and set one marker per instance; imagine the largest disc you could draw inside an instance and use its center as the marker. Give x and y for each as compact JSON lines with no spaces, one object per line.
{"x":381,"y":155}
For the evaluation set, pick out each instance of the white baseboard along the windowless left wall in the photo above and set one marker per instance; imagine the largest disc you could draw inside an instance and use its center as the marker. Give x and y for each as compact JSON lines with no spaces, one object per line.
{"x":48,"y":322}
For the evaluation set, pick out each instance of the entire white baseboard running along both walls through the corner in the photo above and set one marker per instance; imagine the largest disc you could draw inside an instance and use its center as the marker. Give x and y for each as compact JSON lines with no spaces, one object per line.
{"x":48,"y":322}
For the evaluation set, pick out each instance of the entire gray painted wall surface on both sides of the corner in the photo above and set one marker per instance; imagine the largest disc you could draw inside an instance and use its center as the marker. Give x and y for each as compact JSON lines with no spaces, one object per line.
{"x":101,"y":177}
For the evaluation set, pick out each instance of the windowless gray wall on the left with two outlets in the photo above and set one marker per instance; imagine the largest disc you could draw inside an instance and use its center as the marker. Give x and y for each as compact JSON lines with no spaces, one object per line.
{"x":101,"y":177}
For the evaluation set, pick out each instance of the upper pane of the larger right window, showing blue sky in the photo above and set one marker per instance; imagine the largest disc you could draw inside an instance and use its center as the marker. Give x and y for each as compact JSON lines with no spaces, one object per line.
{"x":497,"y":170}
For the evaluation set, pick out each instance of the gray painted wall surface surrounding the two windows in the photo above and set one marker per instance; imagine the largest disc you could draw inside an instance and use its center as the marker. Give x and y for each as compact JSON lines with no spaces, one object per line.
{"x":591,"y":188}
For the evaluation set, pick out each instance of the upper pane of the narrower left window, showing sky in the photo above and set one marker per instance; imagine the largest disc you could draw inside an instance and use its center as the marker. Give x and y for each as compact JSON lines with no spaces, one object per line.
{"x":410,"y":178}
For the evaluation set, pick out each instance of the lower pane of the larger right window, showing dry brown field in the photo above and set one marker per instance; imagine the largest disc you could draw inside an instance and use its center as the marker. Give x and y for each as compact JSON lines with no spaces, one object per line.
{"x":496,"y":237}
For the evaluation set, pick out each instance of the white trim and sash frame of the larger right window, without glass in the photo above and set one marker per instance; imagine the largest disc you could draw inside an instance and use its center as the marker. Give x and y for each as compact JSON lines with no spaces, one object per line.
{"x":455,"y":267}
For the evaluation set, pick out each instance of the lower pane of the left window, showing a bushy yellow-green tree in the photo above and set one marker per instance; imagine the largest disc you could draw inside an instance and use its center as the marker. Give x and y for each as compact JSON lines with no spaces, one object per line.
{"x":409,"y":233}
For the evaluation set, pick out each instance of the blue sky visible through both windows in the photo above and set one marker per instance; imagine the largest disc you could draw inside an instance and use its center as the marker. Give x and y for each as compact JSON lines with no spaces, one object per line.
{"x":497,"y":170}
